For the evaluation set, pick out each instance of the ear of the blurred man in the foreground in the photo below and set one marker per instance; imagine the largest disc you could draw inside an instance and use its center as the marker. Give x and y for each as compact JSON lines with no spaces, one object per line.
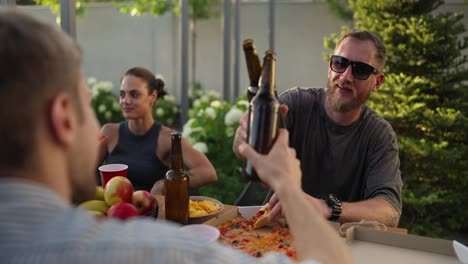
{"x":62,"y":119}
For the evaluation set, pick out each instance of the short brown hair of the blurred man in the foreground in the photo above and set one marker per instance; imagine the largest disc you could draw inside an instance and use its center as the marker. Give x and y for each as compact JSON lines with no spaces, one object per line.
{"x":37,"y":61}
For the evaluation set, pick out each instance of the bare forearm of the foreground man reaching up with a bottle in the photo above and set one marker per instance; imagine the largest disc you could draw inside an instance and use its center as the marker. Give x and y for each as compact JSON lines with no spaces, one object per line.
{"x":314,"y":237}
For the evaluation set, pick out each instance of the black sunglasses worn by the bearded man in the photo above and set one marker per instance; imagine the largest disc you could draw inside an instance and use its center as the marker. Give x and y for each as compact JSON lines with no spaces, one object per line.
{"x":361,"y":70}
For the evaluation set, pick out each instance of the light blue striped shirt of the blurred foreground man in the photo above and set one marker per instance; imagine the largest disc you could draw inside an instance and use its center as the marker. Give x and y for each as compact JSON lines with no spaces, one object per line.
{"x":37,"y":226}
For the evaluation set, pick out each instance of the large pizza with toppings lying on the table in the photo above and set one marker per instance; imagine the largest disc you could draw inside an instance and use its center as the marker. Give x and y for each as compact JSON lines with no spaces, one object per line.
{"x":240,"y":233}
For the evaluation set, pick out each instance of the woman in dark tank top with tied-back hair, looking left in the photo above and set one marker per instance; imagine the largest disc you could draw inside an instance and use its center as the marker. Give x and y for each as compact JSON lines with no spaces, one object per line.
{"x":144,"y":144}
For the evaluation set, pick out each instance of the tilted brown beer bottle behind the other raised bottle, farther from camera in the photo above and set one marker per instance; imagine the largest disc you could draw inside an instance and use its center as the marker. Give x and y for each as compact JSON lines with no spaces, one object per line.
{"x":254,"y":68}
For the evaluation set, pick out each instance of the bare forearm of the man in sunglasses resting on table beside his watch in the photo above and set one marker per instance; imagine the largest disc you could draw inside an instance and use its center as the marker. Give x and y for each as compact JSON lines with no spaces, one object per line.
{"x":375,"y":209}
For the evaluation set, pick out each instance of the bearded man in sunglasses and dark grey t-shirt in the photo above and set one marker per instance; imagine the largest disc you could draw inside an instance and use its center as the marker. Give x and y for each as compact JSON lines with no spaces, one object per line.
{"x":349,"y":154}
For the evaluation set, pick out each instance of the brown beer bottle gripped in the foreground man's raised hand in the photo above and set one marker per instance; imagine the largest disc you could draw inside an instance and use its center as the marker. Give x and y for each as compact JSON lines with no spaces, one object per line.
{"x":264,"y":114}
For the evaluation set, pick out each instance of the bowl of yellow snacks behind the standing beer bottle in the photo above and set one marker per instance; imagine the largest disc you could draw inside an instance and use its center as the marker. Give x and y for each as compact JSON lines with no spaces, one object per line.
{"x":202,"y":208}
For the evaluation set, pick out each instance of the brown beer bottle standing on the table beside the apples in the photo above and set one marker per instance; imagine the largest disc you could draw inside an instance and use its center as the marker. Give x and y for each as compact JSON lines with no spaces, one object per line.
{"x":176,"y":185}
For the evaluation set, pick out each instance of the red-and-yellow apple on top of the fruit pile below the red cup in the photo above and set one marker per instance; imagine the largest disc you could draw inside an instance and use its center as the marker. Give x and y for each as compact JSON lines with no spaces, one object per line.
{"x":118,"y":189}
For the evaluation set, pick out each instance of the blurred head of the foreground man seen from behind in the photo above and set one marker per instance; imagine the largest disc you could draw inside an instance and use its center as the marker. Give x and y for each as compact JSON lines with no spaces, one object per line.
{"x":45,"y":107}
